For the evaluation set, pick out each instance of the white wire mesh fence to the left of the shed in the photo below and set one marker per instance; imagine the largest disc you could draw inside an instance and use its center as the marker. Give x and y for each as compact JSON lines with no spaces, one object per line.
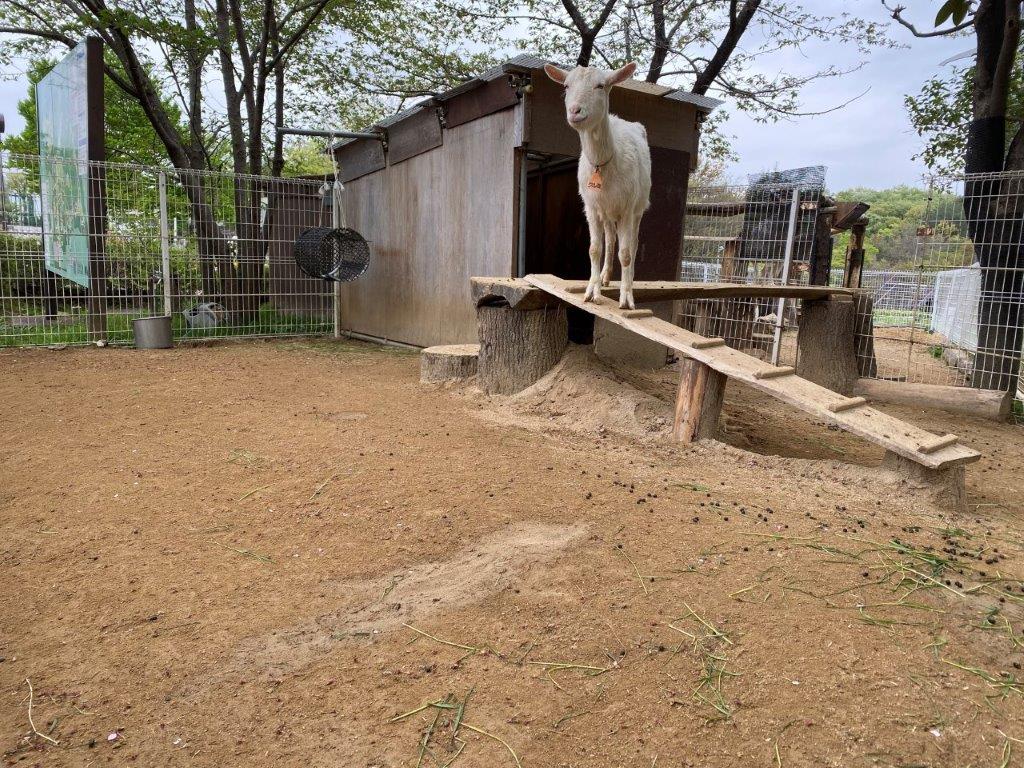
{"x":88,"y":248}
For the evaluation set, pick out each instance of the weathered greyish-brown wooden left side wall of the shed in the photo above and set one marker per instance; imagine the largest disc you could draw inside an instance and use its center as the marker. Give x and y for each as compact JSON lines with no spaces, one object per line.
{"x":434,"y":222}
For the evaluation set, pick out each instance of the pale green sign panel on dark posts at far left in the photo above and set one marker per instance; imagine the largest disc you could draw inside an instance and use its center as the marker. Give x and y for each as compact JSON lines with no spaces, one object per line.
{"x":63,"y":109}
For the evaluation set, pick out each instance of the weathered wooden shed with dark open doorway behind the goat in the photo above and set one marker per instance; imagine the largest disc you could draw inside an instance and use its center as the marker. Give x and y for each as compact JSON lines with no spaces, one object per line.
{"x":482,"y":182}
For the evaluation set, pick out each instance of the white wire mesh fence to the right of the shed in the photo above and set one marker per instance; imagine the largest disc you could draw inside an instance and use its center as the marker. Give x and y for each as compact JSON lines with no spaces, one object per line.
{"x":954,"y":318}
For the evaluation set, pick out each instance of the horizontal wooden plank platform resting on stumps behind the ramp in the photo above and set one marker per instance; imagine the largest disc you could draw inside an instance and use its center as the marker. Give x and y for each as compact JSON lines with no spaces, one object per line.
{"x":519,"y":296}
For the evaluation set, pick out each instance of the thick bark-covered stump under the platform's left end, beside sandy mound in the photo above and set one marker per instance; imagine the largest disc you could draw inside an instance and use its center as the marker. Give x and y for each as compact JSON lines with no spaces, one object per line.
{"x":518,"y":348}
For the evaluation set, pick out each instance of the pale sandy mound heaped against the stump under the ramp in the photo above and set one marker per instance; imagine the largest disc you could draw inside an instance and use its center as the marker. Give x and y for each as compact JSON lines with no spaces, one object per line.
{"x":584,"y":395}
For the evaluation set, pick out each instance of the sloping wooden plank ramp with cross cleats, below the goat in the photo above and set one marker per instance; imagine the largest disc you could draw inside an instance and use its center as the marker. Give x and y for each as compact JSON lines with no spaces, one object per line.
{"x":851,"y":414}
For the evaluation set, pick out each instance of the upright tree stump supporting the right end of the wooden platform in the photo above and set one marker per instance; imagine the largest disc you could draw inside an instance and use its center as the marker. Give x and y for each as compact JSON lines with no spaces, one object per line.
{"x":828,"y":344}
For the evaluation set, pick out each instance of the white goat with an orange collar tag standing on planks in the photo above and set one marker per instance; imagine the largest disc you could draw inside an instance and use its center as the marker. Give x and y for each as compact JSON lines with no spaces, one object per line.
{"x":615,"y":174}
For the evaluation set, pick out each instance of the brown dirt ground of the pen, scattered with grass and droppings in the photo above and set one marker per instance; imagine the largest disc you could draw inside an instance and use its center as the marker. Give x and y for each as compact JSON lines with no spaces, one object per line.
{"x":278,"y":553}
